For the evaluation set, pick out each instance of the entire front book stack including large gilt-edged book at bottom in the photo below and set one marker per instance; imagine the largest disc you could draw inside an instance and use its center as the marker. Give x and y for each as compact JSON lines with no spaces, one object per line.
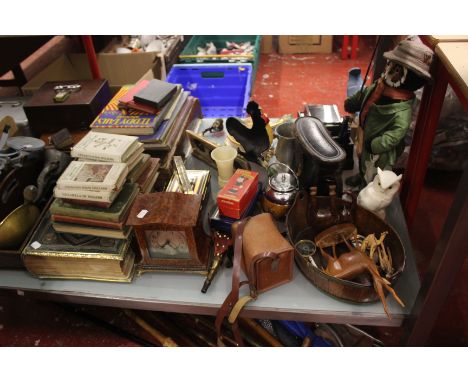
{"x":84,"y":235}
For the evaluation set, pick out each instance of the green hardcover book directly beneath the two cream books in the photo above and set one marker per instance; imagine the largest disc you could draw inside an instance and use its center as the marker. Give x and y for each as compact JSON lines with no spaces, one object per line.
{"x":115,"y":213}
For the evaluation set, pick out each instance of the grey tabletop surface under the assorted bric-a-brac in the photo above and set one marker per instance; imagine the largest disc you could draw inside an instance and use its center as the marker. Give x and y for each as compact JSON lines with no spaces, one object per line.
{"x":175,"y":292}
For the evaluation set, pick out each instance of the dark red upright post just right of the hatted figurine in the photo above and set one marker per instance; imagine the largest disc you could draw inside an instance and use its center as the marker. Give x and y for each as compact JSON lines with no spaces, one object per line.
{"x":423,"y":137}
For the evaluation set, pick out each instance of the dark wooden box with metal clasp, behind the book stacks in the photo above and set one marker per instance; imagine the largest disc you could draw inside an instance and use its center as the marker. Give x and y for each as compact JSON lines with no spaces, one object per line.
{"x":77,"y":112}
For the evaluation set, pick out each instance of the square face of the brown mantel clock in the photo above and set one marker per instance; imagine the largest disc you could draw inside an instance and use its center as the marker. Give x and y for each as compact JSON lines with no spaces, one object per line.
{"x":167,"y":244}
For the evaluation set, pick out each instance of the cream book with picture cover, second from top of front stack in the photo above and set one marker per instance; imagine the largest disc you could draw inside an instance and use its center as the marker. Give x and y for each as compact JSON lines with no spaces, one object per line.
{"x":93,"y":176}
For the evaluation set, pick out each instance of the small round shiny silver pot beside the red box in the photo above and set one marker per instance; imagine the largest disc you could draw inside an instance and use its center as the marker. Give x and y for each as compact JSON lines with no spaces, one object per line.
{"x":281,"y":191}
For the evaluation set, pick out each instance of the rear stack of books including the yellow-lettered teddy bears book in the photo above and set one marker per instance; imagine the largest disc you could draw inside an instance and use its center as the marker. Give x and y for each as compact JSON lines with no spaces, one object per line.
{"x":156,"y":112}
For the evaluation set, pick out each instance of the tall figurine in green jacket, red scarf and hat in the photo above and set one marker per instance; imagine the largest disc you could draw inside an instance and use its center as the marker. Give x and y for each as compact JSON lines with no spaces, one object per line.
{"x":384,"y":108}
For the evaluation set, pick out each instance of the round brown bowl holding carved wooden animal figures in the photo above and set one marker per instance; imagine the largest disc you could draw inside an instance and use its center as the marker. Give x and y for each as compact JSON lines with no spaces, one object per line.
{"x":302,"y":226}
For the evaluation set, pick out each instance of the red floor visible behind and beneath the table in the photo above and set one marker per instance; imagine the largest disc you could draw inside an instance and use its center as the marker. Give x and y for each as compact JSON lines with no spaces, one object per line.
{"x":283,"y":85}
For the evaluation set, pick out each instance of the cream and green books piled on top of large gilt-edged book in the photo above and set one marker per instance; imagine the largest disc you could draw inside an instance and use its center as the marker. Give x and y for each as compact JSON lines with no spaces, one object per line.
{"x":95,"y":192}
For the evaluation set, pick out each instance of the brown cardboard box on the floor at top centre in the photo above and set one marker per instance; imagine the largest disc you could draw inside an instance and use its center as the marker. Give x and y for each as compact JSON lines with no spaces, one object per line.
{"x":305,"y":44}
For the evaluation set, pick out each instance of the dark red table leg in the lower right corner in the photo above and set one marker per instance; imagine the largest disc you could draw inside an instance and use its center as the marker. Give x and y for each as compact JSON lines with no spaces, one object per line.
{"x":446,"y":263}
